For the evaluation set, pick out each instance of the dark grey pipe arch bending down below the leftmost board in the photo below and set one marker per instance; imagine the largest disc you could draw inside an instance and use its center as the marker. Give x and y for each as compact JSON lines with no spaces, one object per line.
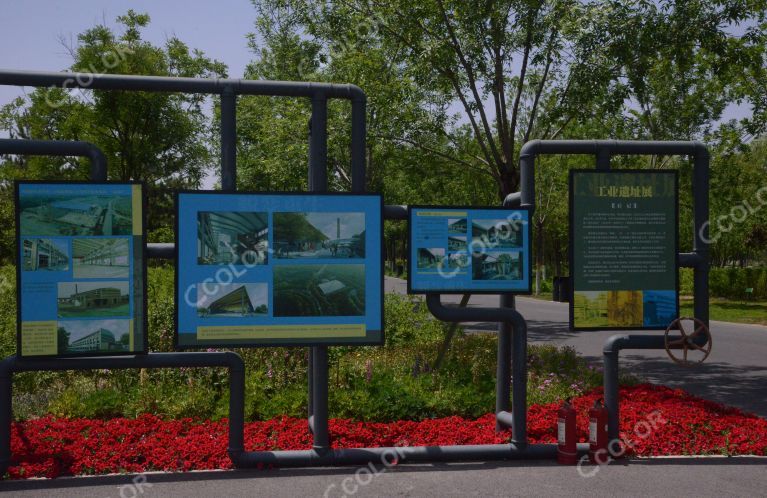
{"x":232,"y":361}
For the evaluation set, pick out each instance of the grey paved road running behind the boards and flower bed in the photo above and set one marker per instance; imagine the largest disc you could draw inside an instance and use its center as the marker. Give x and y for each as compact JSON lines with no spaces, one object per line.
{"x":735,"y":373}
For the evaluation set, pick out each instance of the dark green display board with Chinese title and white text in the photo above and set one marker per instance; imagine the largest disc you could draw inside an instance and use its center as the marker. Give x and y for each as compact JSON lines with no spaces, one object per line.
{"x":623,"y":249}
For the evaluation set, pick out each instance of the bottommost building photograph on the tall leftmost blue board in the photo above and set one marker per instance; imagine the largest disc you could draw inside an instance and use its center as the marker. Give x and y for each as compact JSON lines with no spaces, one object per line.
{"x":92,"y":336}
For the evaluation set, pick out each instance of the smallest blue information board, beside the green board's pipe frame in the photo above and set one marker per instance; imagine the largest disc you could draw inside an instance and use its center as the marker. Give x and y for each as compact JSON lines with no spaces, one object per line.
{"x":469,"y":250}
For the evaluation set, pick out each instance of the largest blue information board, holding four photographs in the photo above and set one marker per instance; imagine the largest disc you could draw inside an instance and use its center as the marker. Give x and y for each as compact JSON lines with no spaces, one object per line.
{"x":268,"y":269}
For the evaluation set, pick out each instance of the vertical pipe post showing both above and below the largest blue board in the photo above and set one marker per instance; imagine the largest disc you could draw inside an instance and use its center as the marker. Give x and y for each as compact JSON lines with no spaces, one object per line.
{"x":318,"y":365}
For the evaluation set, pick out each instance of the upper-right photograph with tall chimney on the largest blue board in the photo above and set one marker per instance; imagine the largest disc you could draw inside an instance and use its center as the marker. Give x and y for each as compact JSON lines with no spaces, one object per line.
{"x":319,"y":235}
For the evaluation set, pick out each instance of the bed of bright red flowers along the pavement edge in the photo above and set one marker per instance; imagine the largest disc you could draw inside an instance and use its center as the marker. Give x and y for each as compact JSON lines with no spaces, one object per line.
{"x":684,"y":424}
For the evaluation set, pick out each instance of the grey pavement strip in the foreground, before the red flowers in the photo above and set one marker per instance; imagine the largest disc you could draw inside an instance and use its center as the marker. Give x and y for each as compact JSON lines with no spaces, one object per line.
{"x":713,"y":477}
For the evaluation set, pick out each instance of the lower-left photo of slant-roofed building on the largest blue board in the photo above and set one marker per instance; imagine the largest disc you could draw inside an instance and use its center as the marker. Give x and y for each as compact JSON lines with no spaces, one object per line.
{"x":232,"y":300}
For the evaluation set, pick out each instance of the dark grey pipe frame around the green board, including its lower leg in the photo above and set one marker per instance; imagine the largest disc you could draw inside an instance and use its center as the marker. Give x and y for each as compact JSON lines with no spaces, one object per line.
{"x":698,"y":259}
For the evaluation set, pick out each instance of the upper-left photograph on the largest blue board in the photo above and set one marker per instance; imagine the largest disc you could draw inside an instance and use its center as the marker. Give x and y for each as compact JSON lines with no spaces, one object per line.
{"x":232,"y":237}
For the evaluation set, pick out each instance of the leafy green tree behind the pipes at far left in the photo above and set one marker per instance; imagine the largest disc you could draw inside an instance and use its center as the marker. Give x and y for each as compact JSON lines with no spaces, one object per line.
{"x":163,"y":139}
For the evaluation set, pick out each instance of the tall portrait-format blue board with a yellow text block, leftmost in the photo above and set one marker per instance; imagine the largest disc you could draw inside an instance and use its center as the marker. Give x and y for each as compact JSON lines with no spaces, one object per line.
{"x":81,"y":273}
